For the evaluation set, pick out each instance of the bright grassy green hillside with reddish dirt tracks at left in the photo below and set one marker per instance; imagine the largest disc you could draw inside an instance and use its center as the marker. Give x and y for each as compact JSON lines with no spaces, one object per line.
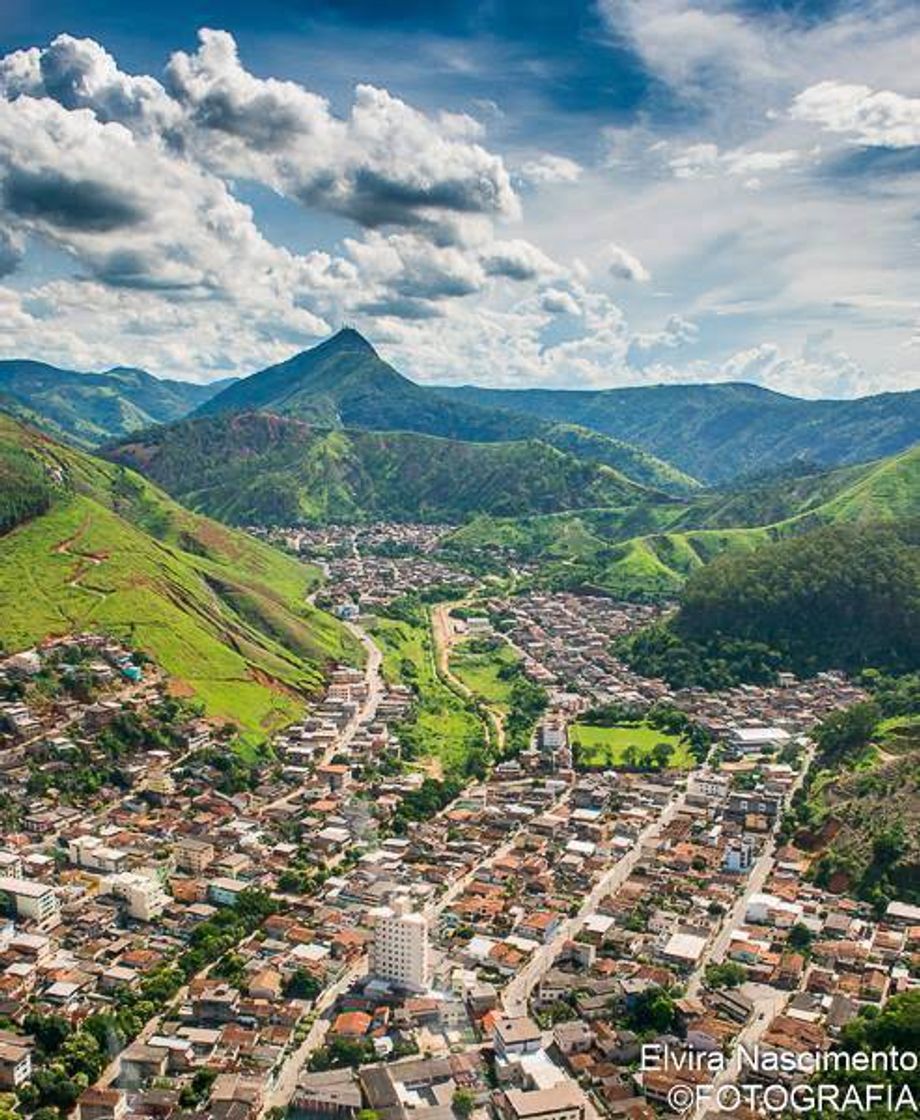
{"x":92,"y":546}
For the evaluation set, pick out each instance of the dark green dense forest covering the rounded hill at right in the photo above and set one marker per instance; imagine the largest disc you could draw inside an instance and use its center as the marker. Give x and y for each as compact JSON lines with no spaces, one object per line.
{"x":840,"y":598}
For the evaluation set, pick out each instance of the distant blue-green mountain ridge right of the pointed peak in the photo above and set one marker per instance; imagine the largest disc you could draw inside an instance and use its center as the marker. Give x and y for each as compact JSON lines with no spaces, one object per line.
{"x":719,"y":432}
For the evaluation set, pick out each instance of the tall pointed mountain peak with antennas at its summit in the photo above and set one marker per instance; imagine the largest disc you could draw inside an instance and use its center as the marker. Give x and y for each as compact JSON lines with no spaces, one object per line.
{"x":345,"y":384}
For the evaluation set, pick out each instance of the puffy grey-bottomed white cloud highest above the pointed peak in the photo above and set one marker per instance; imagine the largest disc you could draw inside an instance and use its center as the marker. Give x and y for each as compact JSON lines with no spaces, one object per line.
{"x":385,"y":164}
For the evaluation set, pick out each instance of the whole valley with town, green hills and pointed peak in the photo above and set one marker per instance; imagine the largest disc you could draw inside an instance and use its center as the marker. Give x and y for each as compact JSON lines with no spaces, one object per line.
{"x":633,"y":757}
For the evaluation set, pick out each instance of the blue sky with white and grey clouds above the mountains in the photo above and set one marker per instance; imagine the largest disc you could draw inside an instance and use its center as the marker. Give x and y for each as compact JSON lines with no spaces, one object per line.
{"x":515,"y":193}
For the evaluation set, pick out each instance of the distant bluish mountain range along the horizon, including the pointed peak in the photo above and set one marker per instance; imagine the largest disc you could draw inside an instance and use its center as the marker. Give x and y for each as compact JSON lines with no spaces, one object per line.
{"x":670,"y":438}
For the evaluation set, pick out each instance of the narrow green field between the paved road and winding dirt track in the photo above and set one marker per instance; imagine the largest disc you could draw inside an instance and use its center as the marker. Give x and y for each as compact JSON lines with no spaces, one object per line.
{"x":445,"y":726}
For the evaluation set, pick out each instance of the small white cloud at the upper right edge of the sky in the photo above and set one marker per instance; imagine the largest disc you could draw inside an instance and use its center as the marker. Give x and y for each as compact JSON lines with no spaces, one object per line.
{"x":875,"y":118}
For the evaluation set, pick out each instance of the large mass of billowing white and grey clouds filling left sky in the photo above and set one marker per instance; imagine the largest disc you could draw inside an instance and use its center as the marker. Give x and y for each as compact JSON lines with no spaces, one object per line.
{"x":134,"y":178}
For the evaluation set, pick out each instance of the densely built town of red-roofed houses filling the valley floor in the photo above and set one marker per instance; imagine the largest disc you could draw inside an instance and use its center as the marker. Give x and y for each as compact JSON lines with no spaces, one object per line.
{"x":315,"y":927}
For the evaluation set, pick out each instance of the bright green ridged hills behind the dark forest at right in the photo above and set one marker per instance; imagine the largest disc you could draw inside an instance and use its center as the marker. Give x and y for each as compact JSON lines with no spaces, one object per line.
{"x":654,"y":547}
